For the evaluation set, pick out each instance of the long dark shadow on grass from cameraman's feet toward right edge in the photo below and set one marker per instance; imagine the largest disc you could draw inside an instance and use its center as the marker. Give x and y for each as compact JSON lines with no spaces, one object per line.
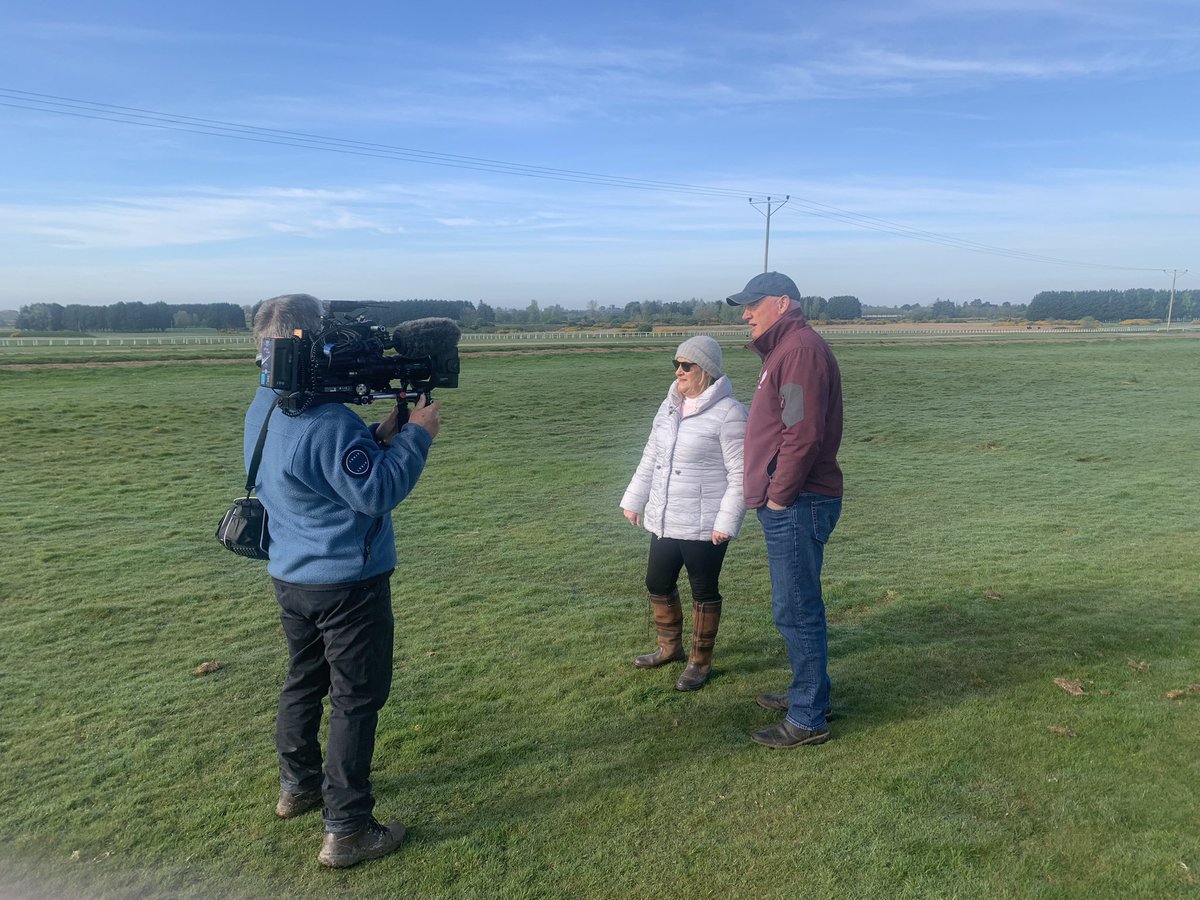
{"x":609,"y":728}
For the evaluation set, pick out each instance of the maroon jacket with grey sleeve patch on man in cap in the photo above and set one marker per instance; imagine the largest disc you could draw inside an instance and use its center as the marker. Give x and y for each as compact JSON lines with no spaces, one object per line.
{"x":795,"y":428}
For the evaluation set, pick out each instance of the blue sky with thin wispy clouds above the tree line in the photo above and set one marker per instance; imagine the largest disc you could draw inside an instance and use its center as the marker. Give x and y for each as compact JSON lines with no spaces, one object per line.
{"x":932,"y":149}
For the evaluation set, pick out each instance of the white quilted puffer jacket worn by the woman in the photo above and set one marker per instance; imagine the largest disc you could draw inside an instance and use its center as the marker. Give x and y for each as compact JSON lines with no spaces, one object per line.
{"x":689,"y":482}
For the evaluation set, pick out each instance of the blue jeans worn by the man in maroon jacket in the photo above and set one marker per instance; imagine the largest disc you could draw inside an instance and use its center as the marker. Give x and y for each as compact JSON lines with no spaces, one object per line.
{"x":796,"y":539}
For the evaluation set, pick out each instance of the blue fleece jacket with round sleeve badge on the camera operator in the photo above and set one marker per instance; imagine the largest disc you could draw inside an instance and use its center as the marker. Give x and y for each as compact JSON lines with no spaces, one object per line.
{"x":329,"y":490}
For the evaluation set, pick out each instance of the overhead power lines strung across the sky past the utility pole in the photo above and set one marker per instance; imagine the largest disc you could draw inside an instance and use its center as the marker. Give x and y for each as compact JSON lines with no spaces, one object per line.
{"x":214,"y":128}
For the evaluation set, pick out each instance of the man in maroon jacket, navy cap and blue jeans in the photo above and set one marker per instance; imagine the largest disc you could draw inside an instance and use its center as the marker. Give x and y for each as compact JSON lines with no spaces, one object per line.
{"x":794,"y":483}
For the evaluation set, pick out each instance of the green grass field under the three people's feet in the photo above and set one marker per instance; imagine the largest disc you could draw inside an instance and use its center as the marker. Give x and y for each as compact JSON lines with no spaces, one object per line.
{"x":1017,"y":513}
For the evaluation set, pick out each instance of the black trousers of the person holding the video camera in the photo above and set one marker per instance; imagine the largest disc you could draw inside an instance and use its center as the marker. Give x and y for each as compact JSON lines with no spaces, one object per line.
{"x":340,"y":640}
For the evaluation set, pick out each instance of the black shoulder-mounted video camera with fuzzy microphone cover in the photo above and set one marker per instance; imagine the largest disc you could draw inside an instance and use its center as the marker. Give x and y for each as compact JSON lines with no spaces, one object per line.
{"x":347,"y":361}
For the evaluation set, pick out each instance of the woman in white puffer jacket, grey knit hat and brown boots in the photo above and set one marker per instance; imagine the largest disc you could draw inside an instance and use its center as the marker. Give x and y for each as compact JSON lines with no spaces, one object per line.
{"x":687,"y":494}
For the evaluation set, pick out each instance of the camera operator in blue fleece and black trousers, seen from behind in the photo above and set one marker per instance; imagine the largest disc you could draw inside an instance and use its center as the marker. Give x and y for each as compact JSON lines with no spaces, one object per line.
{"x":329,"y":484}
